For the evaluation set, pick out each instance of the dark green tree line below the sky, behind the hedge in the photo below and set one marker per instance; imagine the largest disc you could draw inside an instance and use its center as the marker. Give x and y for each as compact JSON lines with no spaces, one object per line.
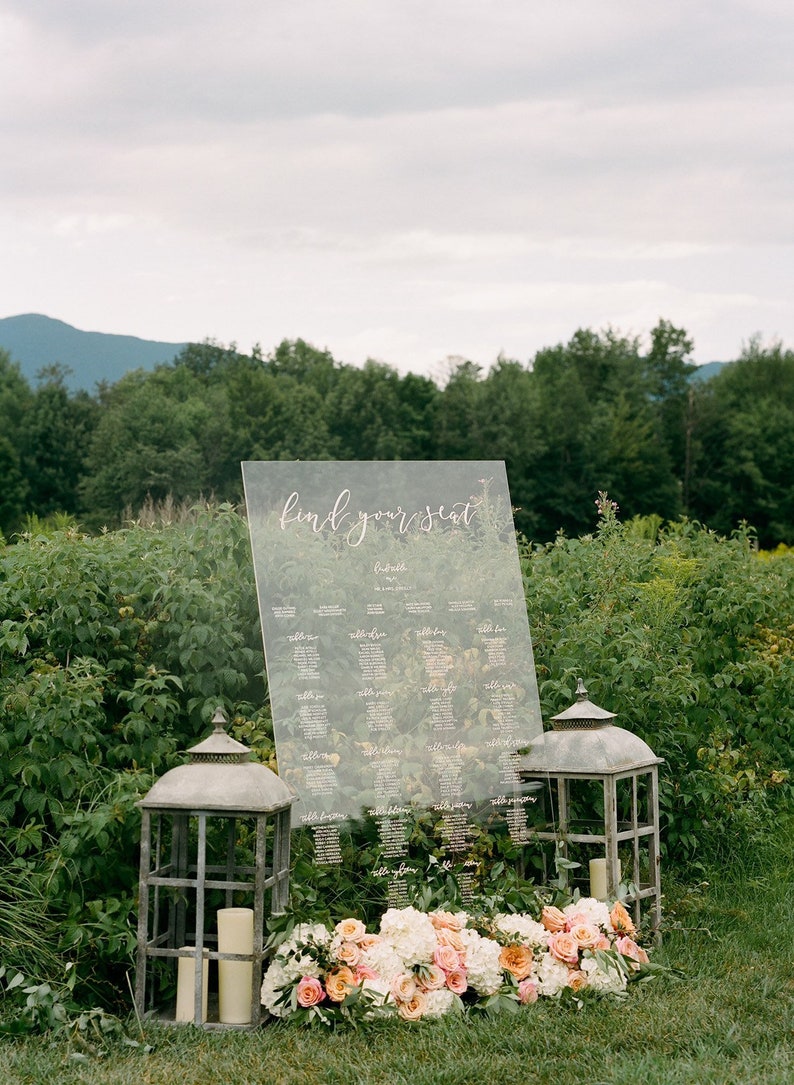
{"x":603,"y":413}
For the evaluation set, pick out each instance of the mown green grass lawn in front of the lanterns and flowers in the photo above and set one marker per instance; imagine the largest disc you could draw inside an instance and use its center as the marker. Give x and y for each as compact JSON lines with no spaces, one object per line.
{"x":727,"y":1018}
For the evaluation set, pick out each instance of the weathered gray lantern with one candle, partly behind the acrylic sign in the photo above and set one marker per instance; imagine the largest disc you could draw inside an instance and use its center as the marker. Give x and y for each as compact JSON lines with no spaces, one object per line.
{"x":584,"y":752}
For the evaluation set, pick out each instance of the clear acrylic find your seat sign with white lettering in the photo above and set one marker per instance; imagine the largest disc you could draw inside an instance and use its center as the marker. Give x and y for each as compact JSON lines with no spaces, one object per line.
{"x":398,"y":648}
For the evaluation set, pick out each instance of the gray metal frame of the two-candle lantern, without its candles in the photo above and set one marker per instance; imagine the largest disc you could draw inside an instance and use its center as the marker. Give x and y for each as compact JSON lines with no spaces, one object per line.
{"x":180,"y":866}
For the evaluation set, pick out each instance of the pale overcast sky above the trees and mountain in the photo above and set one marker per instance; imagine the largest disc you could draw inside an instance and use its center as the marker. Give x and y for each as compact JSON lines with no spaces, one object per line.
{"x":406,"y":181}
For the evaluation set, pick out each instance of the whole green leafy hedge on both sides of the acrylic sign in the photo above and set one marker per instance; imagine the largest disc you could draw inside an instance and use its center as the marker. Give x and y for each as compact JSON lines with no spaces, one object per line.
{"x":116,"y":652}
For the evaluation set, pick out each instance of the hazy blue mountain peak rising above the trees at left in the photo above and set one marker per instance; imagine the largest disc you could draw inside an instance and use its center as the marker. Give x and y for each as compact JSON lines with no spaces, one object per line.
{"x":35,"y":342}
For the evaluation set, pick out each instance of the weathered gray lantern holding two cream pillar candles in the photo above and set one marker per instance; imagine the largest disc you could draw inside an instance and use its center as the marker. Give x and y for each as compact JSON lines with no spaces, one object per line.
{"x":215,"y":864}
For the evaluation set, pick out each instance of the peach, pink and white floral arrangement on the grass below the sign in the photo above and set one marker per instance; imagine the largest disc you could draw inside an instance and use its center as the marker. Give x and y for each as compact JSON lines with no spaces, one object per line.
{"x":425,"y":965}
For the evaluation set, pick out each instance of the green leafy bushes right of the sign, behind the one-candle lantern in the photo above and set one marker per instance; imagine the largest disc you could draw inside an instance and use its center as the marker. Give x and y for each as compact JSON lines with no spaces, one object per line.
{"x":689,"y":642}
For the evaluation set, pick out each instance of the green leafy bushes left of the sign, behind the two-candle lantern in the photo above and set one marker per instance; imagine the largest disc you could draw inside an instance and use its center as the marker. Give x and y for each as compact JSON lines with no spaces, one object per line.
{"x":114,"y":654}
